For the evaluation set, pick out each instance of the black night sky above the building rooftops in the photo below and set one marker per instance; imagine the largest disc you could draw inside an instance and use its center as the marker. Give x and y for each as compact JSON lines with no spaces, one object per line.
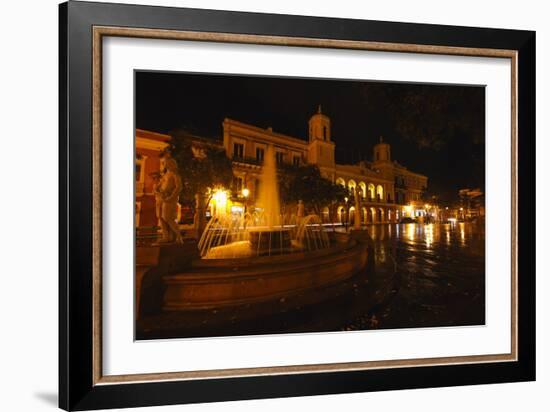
{"x":436,"y":130}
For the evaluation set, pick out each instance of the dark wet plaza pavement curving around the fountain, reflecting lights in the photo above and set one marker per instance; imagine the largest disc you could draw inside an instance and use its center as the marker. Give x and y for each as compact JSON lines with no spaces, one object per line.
{"x":419,"y":276}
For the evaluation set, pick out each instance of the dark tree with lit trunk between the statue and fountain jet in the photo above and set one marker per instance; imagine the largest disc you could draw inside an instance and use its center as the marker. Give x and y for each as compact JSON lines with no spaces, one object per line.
{"x":203,"y":166}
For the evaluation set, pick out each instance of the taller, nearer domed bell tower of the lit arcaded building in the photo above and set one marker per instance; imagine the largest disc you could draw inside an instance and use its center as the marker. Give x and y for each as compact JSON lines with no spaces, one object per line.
{"x":320,"y":147}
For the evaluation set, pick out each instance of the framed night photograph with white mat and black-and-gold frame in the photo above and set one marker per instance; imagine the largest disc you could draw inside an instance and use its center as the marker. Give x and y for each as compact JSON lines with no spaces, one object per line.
{"x":259,"y":206}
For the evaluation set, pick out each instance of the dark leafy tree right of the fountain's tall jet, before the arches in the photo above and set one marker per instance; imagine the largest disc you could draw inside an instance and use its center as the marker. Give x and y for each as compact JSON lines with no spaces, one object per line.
{"x":306,"y":183}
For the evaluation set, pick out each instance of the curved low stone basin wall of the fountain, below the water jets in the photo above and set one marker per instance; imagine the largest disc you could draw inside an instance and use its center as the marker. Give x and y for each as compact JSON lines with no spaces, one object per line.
{"x":213,"y":283}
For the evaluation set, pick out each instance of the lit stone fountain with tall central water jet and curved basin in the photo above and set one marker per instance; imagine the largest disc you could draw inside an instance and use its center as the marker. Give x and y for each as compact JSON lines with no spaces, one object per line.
{"x":259,"y":256}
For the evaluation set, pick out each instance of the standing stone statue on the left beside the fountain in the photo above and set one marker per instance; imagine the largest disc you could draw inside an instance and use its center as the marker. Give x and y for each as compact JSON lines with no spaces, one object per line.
{"x":167,"y":191}
